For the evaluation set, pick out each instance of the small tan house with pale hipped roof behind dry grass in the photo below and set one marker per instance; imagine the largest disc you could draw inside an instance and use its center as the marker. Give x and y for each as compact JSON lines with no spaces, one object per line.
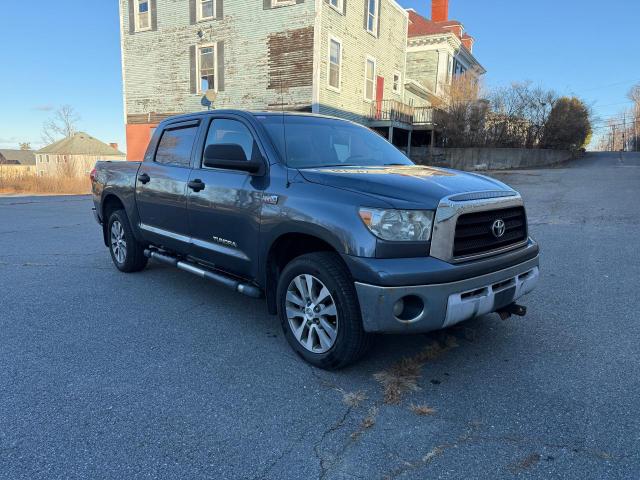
{"x":75,"y":155}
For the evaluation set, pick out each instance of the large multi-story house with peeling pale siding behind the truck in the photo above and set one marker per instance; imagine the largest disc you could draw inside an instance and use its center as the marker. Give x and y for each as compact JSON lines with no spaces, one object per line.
{"x":346,"y":58}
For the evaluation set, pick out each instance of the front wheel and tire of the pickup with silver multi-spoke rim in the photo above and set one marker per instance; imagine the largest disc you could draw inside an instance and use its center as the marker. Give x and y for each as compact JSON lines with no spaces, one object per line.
{"x":332,"y":305}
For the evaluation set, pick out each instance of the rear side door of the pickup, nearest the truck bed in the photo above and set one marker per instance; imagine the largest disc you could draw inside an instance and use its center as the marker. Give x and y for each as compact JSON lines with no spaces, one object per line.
{"x":161,"y":187}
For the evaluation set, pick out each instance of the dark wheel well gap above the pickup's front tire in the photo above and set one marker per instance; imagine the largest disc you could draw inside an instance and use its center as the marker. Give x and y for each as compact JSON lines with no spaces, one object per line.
{"x":283,"y":250}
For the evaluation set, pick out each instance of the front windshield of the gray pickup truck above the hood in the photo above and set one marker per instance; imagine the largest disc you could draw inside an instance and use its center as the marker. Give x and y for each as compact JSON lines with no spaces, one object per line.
{"x":311,"y":142}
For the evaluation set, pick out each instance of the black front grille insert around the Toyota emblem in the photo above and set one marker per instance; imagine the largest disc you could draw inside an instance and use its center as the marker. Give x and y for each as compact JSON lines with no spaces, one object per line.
{"x":474,"y":234}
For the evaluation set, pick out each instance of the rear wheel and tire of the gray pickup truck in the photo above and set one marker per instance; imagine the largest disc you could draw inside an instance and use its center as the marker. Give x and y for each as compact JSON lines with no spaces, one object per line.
{"x":126,"y":252}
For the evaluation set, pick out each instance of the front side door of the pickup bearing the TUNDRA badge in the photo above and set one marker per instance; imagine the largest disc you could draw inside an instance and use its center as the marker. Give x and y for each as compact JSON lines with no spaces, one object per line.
{"x":224,"y":215}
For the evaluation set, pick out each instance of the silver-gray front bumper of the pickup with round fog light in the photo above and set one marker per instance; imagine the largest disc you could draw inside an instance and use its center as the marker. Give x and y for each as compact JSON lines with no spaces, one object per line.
{"x":445,"y":304}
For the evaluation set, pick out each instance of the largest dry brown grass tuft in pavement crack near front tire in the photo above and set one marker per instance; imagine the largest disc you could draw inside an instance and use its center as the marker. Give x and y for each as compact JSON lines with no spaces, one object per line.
{"x":403,"y":376}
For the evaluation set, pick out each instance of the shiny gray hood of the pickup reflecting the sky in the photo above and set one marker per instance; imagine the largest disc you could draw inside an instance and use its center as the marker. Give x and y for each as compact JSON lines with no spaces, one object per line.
{"x":403,"y":186}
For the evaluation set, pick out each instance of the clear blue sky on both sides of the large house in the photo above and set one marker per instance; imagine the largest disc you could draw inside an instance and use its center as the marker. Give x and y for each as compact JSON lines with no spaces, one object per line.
{"x":70,"y":55}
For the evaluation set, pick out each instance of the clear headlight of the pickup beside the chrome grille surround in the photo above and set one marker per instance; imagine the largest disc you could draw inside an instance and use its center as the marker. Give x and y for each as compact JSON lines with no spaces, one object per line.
{"x":398,"y":225}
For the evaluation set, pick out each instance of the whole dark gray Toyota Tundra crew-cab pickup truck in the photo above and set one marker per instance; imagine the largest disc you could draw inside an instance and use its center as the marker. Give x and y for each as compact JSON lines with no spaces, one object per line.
{"x":341,"y":233}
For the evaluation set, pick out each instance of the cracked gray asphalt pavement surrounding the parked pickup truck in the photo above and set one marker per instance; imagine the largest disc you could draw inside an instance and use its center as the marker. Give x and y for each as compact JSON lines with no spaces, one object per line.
{"x":162,"y":375}
